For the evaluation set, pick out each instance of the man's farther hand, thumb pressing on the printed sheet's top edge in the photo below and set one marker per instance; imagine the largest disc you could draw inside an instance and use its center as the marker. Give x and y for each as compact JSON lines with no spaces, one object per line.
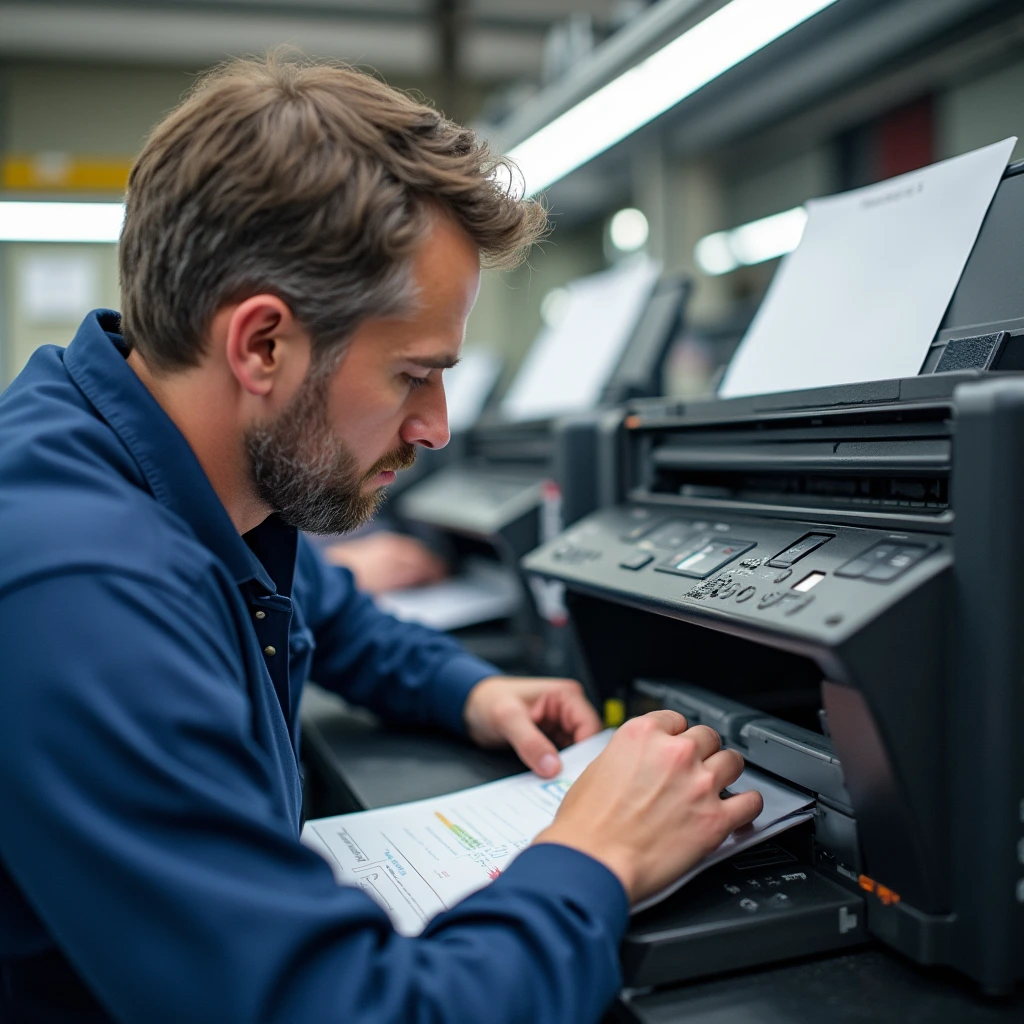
{"x":535,"y":717}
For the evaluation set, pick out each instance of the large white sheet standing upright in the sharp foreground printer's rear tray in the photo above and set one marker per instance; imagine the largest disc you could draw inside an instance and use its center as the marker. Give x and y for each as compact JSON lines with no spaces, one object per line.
{"x":863,"y":295}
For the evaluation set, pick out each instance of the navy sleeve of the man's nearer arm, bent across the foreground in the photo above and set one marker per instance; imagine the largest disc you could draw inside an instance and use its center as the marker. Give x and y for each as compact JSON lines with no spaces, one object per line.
{"x":141,"y":819}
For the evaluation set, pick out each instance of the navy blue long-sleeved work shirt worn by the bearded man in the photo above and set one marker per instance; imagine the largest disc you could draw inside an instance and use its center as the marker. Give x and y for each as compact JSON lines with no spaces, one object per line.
{"x":152,"y":663}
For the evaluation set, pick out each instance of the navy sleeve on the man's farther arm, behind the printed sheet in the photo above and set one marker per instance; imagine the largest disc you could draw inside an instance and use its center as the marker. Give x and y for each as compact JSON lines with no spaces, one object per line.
{"x":406,"y":673}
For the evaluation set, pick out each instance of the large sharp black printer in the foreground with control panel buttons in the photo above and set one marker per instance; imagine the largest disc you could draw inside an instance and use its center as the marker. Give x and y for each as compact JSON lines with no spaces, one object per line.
{"x":834,"y":580}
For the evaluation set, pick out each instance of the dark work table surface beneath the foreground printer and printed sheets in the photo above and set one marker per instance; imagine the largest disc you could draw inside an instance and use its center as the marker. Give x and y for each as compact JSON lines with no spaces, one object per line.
{"x":357,"y":763}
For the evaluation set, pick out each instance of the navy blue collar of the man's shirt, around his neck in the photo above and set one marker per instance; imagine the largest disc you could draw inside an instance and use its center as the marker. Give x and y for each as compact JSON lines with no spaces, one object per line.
{"x":97,"y":362}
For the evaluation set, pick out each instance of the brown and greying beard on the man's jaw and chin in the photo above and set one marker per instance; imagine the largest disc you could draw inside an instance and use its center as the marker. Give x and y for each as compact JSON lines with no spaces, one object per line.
{"x":308,"y":476}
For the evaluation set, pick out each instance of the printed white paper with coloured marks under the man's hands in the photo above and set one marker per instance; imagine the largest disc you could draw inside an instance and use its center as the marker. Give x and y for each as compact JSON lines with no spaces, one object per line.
{"x":421,"y":859}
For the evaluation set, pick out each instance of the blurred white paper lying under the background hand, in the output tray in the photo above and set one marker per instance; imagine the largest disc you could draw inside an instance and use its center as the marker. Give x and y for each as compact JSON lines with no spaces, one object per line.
{"x":482,"y":593}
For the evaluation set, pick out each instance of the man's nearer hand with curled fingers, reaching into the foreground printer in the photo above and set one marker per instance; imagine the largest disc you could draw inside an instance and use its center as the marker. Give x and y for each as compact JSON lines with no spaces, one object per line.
{"x":649,"y":807}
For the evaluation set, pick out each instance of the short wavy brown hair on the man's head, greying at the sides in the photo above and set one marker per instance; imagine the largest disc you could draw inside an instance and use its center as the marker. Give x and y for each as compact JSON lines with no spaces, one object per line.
{"x":312,"y":182}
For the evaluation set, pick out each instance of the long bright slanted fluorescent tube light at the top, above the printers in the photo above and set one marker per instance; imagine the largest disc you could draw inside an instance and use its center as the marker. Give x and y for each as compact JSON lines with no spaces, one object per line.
{"x":652,"y":88}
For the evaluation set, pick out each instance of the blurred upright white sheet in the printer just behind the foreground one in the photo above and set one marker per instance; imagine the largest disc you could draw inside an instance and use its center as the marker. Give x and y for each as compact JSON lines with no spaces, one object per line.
{"x":572,"y":362}
